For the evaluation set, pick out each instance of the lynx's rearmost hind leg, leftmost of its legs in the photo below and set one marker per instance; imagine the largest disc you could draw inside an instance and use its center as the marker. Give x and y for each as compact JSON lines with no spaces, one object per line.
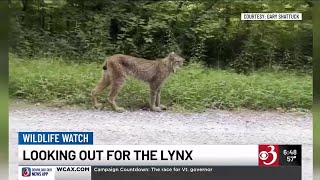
{"x":101,"y":85}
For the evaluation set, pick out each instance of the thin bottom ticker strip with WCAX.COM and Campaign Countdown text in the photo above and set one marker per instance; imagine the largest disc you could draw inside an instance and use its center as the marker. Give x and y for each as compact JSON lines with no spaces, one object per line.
{"x":158,"y":172}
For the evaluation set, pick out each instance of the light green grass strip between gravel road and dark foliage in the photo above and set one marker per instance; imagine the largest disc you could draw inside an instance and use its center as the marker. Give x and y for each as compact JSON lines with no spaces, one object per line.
{"x":194,"y":87}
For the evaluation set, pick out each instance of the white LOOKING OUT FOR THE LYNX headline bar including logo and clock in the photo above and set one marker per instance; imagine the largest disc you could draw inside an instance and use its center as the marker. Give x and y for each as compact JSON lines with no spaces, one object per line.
{"x":161,"y":155}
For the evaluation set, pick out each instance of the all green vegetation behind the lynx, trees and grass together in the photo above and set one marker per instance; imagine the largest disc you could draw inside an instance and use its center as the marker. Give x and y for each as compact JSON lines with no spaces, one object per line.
{"x":57,"y":47}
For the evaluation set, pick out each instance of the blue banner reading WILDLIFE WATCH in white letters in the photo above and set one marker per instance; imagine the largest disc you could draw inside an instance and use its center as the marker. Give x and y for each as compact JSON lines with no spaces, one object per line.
{"x":55,"y":138}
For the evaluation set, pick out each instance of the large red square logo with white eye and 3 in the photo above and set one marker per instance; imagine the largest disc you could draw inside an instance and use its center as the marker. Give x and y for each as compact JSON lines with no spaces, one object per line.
{"x":268,"y":155}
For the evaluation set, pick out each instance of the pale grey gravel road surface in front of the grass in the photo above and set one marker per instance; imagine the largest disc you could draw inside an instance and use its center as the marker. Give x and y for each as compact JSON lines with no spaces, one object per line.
{"x":143,"y":127}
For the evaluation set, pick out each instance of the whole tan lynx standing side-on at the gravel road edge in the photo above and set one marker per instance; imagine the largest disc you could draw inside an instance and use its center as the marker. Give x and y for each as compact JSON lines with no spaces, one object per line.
{"x":118,"y":67}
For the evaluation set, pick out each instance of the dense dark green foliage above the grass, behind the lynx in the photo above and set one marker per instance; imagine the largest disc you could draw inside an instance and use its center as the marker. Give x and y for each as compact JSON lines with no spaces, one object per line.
{"x":207,"y":31}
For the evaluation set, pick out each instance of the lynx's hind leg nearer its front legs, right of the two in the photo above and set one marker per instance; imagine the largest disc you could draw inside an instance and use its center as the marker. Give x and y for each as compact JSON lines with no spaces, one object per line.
{"x":116,"y":86}
